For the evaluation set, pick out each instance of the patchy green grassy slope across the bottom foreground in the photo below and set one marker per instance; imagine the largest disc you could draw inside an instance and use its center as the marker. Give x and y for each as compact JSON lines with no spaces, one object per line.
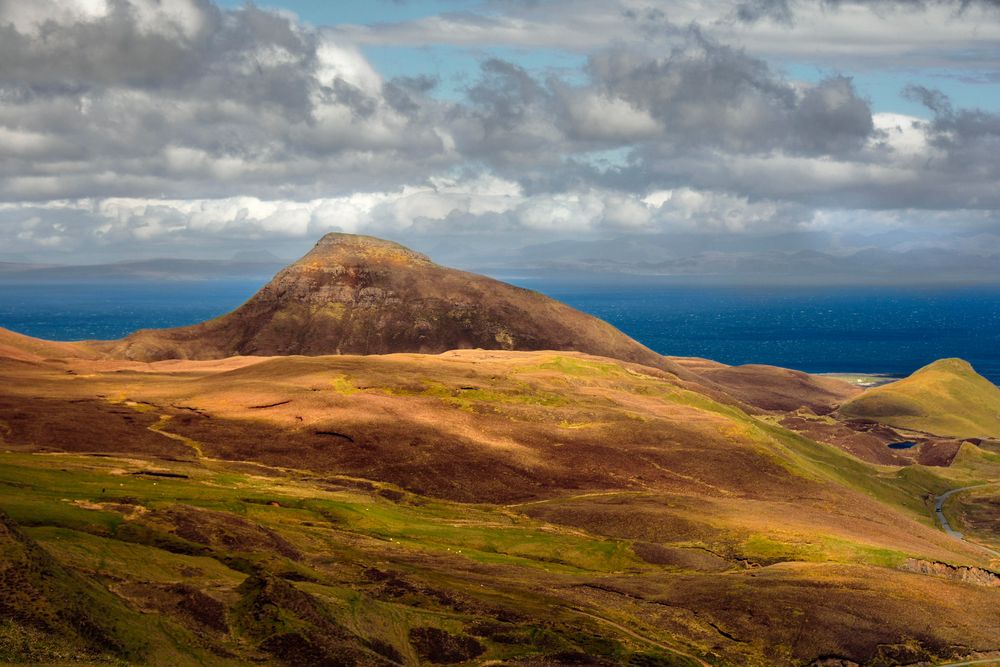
{"x":229,"y":564}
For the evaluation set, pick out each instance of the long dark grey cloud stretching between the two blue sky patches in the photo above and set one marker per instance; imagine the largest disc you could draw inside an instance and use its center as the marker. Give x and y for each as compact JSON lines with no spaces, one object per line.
{"x":702,"y":96}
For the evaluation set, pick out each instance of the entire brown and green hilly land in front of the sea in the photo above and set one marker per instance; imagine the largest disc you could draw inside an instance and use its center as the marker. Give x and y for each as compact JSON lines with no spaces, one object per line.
{"x":380,"y":461}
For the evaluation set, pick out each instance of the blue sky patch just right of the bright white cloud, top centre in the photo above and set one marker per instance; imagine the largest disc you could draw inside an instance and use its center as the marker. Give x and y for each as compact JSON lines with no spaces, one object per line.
{"x":457,"y":67}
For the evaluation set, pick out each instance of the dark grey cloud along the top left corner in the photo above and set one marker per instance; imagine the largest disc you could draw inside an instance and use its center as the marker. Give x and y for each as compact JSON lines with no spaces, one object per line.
{"x":209,"y":54}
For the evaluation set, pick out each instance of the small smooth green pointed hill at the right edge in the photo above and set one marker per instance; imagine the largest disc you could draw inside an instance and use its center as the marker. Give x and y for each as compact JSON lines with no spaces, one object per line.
{"x":946,"y":397}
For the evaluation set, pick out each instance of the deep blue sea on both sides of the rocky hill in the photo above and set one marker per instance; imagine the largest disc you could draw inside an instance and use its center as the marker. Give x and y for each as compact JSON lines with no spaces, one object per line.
{"x":871,"y":330}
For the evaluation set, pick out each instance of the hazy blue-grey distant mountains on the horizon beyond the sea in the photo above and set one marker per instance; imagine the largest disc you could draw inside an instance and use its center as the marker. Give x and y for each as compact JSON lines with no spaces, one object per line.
{"x":800,"y":258}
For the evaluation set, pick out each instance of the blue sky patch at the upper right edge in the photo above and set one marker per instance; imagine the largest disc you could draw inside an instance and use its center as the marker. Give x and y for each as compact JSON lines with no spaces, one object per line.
{"x":967,"y":89}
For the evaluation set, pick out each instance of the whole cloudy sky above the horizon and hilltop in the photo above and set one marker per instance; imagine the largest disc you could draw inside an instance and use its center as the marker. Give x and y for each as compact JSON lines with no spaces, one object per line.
{"x":476,"y":129}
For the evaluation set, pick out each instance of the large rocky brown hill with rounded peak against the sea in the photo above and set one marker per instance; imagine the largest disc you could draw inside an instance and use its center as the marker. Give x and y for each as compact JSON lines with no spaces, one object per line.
{"x":362,"y":295}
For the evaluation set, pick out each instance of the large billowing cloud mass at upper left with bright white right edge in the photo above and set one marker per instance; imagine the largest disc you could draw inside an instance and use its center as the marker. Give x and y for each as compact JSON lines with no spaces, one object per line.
{"x":132,"y":98}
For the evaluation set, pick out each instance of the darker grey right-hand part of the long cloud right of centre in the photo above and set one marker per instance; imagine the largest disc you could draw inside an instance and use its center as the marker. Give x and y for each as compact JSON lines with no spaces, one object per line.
{"x":712,"y":95}
